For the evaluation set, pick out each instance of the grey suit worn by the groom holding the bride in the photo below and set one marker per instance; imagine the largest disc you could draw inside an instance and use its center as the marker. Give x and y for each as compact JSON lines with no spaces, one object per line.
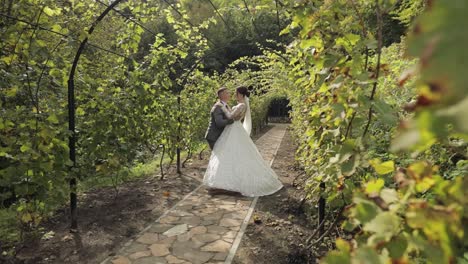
{"x":218,"y":122}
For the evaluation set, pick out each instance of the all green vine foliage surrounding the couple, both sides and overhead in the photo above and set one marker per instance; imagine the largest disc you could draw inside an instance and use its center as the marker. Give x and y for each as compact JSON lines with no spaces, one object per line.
{"x":380,"y":118}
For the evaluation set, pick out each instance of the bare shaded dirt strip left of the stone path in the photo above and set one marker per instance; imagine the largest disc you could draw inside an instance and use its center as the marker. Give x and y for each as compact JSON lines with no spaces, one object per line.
{"x":106,"y":222}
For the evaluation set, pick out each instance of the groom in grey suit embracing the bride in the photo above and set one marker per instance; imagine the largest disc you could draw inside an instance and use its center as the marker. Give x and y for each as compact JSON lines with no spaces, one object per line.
{"x":218,"y":119}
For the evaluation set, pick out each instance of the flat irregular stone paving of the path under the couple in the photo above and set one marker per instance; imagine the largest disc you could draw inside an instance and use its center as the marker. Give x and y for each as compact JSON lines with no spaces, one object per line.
{"x":200,"y":228}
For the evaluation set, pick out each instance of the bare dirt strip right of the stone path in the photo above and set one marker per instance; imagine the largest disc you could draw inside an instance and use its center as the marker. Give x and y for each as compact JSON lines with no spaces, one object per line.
{"x":279,"y":227}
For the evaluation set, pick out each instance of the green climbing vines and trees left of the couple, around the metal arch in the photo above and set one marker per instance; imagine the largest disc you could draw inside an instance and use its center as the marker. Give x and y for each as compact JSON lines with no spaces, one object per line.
{"x":141,"y":86}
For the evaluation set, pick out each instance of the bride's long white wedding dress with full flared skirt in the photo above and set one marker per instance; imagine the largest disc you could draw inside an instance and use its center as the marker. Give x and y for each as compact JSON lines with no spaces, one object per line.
{"x":235,"y":163}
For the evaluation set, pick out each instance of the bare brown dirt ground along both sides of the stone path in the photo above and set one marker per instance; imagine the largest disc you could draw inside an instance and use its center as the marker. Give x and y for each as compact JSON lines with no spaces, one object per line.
{"x":276,"y":234}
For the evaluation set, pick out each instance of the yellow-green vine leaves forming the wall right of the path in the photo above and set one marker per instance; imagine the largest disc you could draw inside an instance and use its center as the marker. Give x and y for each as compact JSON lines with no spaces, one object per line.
{"x":348,"y":94}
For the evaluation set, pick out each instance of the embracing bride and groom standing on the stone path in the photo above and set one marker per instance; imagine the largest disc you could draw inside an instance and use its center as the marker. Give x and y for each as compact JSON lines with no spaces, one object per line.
{"x":235,"y":164}
